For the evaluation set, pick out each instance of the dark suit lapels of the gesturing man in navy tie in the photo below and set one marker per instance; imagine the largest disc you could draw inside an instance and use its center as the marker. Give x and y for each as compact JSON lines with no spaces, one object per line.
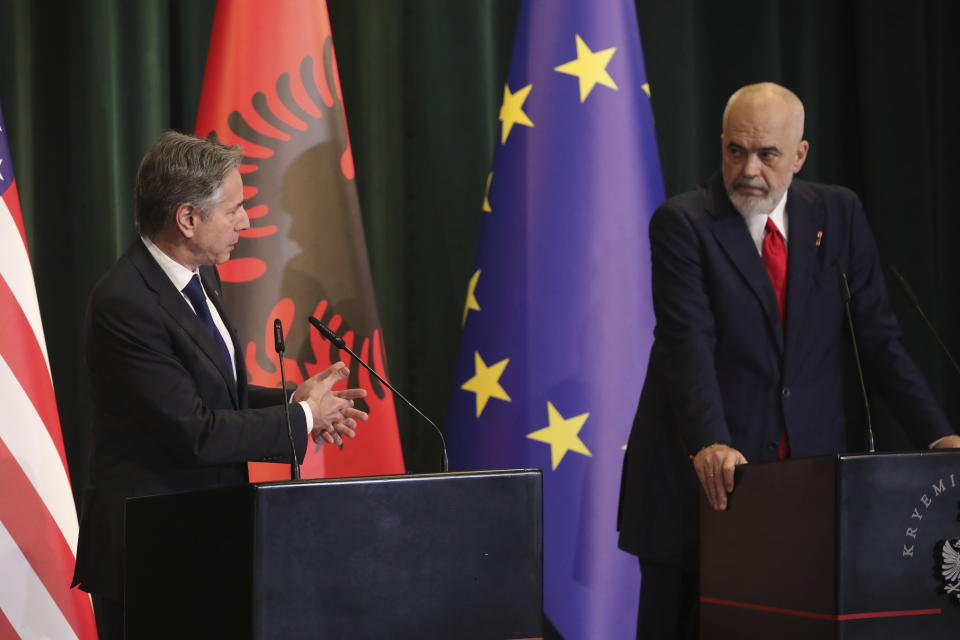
{"x":174,"y":303}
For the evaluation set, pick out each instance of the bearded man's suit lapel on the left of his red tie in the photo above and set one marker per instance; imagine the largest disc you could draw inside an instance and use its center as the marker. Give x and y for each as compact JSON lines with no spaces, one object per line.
{"x":731,"y":232}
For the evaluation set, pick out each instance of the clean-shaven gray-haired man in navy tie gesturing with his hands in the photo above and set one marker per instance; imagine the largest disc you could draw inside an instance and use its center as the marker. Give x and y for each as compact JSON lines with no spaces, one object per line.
{"x":172,"y":407}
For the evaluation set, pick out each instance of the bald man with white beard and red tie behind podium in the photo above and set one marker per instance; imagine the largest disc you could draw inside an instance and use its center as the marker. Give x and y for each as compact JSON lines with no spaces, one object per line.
{"x":747,"y":360}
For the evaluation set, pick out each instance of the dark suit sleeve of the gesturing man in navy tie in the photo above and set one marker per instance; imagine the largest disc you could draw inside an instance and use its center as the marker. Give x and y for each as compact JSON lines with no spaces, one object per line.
{"x":147,"y":372}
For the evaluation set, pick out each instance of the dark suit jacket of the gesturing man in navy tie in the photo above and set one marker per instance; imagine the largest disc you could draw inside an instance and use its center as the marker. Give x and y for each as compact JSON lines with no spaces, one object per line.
{"x":168,"y":415}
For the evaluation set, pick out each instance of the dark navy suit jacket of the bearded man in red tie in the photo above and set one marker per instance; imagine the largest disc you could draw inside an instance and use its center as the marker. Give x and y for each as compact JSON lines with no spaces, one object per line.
{"x":722,"y":369}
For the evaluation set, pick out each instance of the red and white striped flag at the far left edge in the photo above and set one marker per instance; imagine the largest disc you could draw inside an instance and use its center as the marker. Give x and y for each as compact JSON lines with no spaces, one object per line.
{"x":38,"y":520}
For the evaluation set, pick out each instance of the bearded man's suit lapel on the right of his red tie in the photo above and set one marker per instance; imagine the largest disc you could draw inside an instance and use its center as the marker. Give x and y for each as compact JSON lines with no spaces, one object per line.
{"x":805,"y":217}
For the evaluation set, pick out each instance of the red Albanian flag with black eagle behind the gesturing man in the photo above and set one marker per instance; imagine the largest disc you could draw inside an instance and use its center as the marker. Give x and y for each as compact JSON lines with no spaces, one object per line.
{"x":271,"y":86}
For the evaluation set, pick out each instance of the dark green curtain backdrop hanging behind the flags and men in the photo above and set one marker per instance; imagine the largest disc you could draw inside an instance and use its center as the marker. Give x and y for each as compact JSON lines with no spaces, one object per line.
{"x":86,"y":87}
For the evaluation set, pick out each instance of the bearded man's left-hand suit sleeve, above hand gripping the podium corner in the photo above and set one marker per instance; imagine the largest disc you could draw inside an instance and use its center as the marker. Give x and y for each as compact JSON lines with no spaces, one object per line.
{"x":685,"y":330}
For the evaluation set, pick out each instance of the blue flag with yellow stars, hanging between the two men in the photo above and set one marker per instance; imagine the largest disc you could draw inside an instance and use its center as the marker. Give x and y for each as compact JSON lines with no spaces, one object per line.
{"x":558,"y":319}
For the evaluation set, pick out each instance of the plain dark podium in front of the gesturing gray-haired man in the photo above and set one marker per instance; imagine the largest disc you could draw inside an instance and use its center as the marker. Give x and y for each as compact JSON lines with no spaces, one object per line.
{"x":454,"y":555}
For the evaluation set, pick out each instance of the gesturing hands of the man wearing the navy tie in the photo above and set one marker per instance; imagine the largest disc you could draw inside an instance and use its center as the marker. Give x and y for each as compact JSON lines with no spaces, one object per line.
{"x":333,"y":412}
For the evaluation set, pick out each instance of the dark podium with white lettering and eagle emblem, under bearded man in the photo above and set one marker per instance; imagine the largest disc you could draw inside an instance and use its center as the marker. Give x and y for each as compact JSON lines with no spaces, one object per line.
{"x":848,"y":547}
